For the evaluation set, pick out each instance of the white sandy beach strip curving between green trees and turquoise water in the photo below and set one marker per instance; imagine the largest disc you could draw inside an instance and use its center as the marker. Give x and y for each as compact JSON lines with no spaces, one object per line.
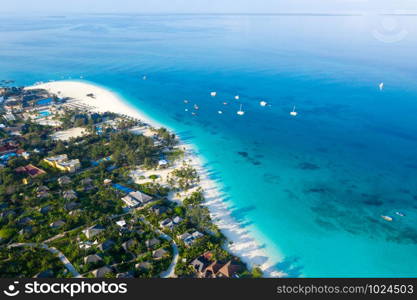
{"x":241,"y":242}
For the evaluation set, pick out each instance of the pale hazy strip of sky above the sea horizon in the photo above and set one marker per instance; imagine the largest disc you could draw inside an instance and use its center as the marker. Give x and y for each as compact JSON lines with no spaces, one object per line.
{"x":201,"y":6}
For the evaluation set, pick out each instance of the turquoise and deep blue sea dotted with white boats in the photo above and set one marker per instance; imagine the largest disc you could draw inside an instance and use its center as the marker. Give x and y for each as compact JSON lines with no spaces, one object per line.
{"x":311,"y":188}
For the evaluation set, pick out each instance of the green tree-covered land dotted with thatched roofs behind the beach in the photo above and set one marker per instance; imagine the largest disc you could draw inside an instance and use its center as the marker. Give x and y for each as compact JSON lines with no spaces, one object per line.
{"x":57,"y":207}
